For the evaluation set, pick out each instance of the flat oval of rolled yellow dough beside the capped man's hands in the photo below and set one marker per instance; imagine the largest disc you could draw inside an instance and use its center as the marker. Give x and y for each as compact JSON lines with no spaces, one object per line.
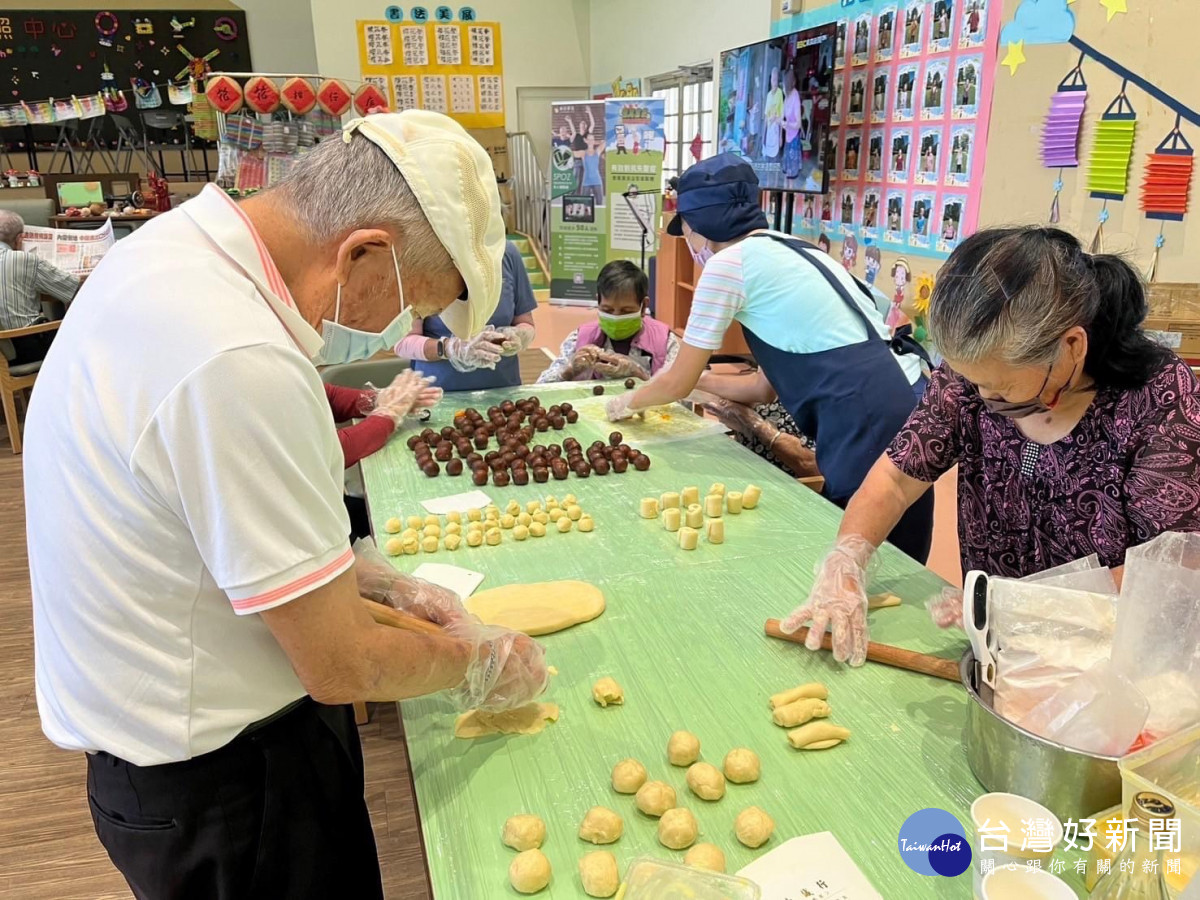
{"x":538,"y":609}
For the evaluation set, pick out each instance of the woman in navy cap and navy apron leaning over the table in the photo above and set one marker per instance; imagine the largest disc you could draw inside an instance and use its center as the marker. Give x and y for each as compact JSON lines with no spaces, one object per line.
{"x":814,"y":329}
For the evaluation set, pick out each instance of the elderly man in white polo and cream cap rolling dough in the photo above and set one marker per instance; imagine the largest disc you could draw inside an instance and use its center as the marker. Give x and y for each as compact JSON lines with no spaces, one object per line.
{"x":199,"y":628}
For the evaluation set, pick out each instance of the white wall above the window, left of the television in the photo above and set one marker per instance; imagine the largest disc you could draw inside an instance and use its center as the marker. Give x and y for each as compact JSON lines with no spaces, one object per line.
{"x":639,"y":38}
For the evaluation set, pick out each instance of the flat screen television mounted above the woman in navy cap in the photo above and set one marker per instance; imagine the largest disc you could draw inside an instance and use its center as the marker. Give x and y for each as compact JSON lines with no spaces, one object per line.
{"x":775,"y":91}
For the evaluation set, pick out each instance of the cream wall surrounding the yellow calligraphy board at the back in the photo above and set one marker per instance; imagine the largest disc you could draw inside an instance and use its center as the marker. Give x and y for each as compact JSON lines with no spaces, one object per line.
{"x":545,"y":43}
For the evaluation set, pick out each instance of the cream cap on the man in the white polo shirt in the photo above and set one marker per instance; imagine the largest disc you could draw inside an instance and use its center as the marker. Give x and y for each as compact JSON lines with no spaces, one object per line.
{"x":453,"y":179}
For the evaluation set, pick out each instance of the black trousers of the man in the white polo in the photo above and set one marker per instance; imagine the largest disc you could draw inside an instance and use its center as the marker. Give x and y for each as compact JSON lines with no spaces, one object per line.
{"x":278,"y":813}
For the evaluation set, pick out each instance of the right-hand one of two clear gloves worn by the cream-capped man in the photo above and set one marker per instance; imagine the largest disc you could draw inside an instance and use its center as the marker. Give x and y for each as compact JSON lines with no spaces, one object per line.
{"x":507,"y":669}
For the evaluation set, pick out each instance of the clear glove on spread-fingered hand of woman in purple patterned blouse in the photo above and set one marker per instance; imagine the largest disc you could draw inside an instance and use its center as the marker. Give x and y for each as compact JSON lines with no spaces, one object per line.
{"x":838,"y":602}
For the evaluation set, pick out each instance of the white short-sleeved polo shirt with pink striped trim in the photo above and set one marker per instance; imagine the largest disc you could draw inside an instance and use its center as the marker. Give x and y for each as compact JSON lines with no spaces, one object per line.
{"x":182,"y":475}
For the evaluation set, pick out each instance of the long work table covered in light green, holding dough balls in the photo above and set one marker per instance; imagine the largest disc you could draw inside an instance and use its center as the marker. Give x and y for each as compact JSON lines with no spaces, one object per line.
{"x":683,"y":634}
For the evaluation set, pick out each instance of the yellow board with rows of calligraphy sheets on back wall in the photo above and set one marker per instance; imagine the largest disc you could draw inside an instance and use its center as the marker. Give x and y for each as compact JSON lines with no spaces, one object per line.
{"x":452,"y":68}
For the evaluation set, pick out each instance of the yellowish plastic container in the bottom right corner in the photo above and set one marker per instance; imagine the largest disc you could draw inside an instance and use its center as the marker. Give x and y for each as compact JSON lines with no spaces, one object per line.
{"x":1171,"y":767}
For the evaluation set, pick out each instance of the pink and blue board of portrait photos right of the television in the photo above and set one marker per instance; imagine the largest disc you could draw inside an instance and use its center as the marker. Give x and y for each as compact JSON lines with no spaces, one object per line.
{"x":909,"y":118}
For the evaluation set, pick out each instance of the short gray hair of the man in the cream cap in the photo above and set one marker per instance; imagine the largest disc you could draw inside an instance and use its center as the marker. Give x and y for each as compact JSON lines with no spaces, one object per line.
{"x":339,"y":188}
